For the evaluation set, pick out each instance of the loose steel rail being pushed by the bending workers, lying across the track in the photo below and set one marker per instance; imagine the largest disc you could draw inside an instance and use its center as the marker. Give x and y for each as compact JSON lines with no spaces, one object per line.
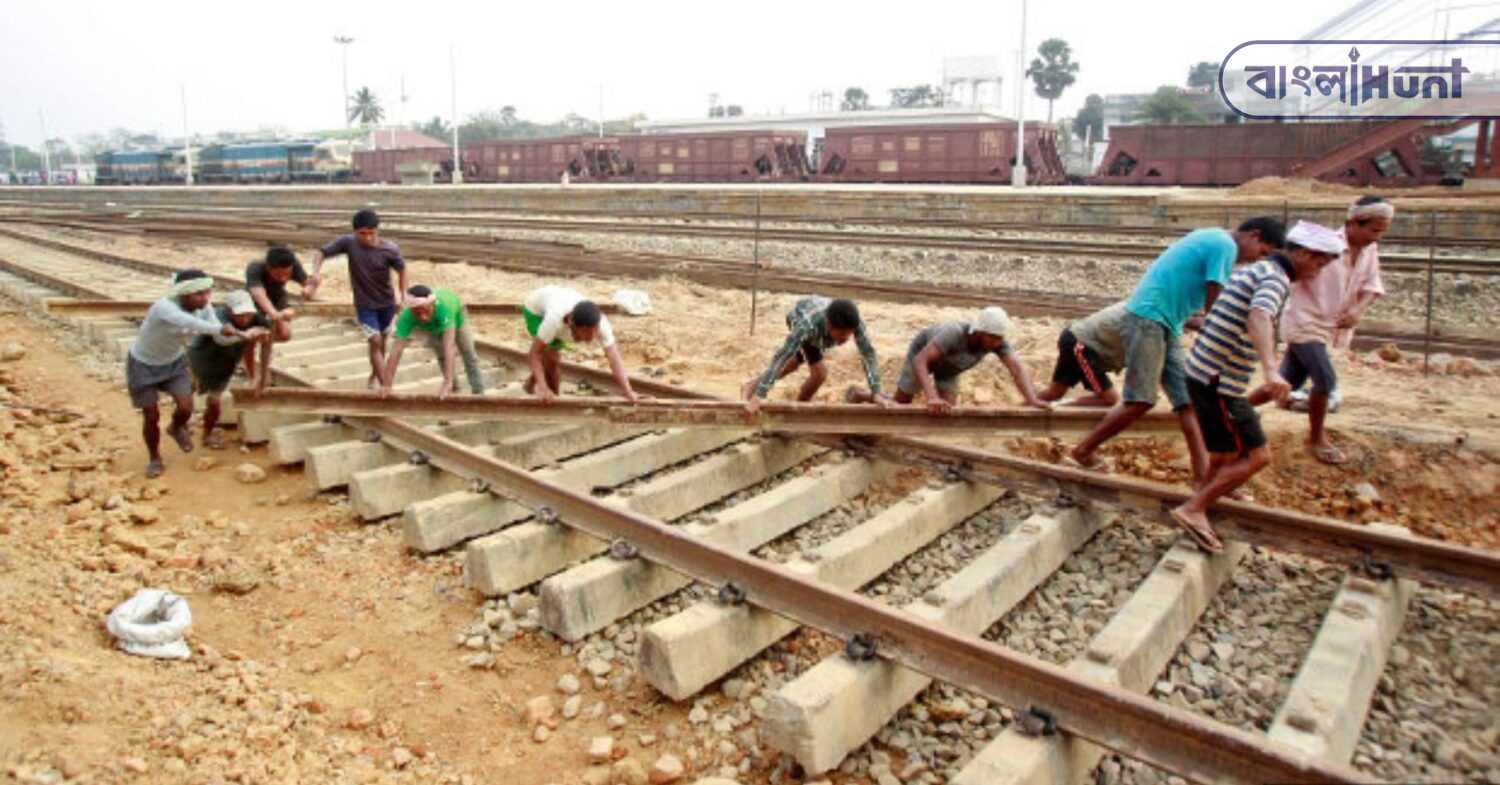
{"x":719,"y":415}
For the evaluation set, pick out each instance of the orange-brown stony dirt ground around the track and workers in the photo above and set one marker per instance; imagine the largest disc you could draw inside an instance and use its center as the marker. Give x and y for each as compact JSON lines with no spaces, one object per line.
{"x":325,"y":652}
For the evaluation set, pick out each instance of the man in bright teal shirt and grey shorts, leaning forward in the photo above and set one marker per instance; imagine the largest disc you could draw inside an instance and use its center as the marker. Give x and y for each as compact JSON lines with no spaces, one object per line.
{"x":1175,"y":293}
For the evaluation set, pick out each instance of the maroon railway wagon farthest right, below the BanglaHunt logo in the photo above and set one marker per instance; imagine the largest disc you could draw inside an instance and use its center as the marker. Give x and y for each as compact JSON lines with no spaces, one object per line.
{"x":1228,"y":155}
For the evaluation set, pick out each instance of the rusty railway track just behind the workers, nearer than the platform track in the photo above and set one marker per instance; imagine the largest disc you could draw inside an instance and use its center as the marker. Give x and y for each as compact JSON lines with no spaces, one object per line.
{"x":578,"y":260}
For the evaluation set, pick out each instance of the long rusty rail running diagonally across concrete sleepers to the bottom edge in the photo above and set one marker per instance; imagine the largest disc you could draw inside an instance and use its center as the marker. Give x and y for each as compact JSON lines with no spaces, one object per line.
{"x":1123,"y":721}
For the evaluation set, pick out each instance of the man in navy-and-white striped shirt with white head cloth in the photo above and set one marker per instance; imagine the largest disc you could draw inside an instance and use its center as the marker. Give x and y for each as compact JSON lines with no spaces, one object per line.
{"x":1238,"y":332}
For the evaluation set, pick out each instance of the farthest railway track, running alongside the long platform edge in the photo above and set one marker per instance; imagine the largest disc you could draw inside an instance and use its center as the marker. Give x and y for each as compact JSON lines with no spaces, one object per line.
{"x":1114,"y":250}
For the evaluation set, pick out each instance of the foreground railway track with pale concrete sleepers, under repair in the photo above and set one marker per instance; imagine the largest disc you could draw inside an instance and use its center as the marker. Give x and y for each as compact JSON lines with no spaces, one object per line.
{"x":517,"y":498}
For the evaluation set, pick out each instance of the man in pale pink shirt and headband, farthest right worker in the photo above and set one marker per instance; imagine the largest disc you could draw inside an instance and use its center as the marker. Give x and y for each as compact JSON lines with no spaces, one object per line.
{"x":1322,"y":313}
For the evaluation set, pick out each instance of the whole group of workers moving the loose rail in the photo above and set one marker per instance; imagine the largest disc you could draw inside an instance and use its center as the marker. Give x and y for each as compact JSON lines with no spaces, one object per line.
{"x":1231,"y":287}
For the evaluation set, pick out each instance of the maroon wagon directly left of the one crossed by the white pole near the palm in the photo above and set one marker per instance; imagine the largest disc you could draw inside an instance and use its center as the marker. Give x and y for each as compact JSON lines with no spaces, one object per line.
{"x":730,"y":157}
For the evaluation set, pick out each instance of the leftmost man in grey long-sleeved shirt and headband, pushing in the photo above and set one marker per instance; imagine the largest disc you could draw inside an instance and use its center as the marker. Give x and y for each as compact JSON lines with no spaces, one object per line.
{"x":158,"y":361}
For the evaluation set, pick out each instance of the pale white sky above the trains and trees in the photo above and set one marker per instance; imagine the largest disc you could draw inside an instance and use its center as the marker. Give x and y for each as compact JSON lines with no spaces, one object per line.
{"x":94,"y":65}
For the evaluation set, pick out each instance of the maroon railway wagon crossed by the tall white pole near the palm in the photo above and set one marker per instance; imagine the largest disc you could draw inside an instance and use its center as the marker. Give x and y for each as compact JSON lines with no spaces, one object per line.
{"x":940,"y":154}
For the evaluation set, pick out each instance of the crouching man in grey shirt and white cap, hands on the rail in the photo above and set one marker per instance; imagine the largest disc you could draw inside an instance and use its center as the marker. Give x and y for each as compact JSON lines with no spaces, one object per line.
{"x":941,"y":353}
